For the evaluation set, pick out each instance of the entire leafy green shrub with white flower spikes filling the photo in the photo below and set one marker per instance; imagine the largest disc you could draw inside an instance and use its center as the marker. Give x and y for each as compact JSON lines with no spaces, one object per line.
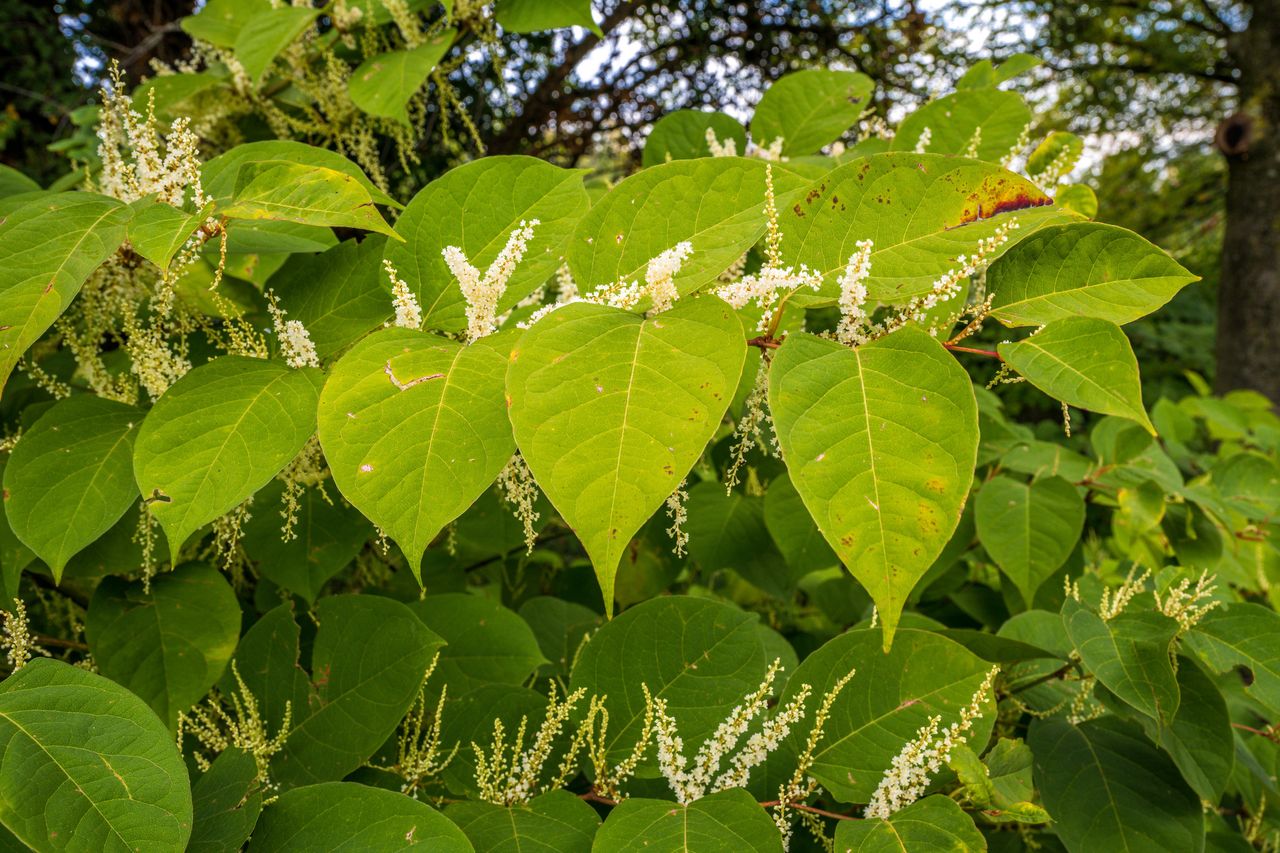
{"x":662,"y":514}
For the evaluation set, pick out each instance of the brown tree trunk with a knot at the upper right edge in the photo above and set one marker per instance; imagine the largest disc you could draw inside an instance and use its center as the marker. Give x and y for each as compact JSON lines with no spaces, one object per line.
{"x":1249,"y":303}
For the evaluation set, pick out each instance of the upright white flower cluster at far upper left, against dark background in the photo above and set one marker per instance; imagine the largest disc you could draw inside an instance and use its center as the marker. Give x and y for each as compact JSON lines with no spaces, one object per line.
{"x":136,"y":162}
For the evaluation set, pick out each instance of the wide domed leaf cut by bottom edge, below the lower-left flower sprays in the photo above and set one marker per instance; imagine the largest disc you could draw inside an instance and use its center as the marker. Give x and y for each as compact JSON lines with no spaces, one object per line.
{"x":349,"y":818}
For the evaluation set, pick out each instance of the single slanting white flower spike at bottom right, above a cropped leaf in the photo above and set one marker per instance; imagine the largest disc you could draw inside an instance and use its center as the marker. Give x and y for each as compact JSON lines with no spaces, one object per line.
{"x":915,"y":767}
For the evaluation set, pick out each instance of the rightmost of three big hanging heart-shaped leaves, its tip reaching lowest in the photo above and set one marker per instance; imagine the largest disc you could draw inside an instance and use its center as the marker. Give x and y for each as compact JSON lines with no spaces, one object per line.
{"x":880,"y":443}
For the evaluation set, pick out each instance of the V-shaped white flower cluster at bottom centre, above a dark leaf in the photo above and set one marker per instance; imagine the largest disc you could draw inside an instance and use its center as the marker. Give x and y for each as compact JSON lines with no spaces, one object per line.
{"x":691,"y":783}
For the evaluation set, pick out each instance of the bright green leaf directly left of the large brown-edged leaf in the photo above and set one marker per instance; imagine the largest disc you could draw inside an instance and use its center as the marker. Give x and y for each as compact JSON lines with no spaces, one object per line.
{"x":716,"y":204}
